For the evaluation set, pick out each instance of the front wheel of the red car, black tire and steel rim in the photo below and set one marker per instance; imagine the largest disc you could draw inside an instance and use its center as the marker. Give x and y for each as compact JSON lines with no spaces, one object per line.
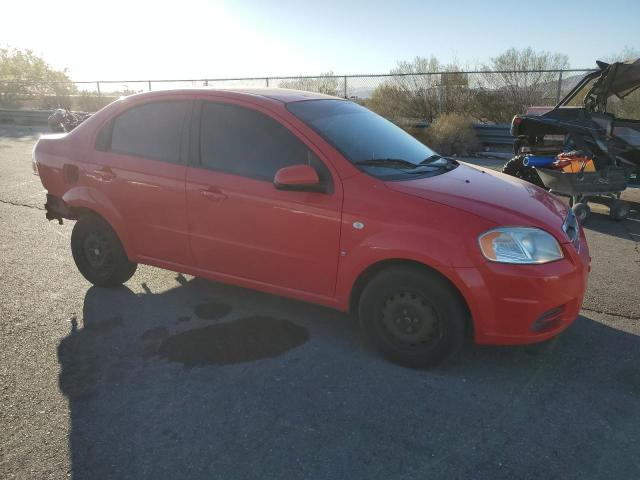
{"x":412,"y":316}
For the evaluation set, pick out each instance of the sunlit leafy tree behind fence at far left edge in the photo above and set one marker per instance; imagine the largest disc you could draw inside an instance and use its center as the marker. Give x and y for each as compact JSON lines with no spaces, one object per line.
{"x":24,"y":75}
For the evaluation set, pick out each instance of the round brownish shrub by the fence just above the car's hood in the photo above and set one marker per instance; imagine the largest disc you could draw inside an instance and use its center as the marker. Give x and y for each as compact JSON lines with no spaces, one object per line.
{"x":452,"y":133}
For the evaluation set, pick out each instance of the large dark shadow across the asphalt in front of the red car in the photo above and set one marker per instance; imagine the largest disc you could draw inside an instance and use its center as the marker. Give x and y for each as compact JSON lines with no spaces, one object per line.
{"x":211,"y":381}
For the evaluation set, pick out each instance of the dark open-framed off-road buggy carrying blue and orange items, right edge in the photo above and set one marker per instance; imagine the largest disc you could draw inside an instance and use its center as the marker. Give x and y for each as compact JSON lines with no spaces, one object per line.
{"x":584,"y":148}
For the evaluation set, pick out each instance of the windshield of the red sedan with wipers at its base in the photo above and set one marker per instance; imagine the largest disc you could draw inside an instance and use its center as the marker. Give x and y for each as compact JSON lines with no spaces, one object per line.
{"x":366,"y":139}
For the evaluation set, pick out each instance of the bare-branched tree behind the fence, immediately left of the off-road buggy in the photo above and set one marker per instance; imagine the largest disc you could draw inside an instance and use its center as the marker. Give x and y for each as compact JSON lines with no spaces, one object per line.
{"x":518,"y":79}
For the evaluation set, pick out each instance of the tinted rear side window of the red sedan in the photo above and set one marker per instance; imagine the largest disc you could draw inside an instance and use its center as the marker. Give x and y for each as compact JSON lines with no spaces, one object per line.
{"x":153,"y":130}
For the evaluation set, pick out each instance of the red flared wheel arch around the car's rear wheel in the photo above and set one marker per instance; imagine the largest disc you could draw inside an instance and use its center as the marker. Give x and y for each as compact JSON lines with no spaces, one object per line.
{"x":91,"y":199}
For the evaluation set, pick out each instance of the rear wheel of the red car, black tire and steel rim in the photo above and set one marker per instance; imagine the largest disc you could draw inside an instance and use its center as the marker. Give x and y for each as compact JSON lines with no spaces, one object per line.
{"x":98,"y":253}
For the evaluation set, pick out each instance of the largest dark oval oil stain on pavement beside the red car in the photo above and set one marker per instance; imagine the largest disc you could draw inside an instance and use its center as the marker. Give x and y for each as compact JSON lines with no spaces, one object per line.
{"x":243,"y":340}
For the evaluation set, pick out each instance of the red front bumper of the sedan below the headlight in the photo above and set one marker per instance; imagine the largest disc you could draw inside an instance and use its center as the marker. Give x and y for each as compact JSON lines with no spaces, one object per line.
{"x":520,"y":304}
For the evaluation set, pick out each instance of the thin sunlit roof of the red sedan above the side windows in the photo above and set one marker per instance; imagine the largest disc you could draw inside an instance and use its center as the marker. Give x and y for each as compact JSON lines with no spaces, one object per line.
{"x":283,"y":95}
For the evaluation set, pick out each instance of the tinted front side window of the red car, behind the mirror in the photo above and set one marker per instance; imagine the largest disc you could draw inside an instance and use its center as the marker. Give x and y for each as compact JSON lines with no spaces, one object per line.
{"x":246,"y":142}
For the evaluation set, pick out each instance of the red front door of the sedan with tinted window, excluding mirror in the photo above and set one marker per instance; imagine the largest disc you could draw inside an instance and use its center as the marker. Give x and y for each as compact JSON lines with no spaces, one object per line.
{"x":240,"y":224}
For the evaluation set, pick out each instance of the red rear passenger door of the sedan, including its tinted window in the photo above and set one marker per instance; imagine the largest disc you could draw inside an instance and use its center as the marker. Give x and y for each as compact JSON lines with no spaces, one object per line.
{"x":141,"y":167}
